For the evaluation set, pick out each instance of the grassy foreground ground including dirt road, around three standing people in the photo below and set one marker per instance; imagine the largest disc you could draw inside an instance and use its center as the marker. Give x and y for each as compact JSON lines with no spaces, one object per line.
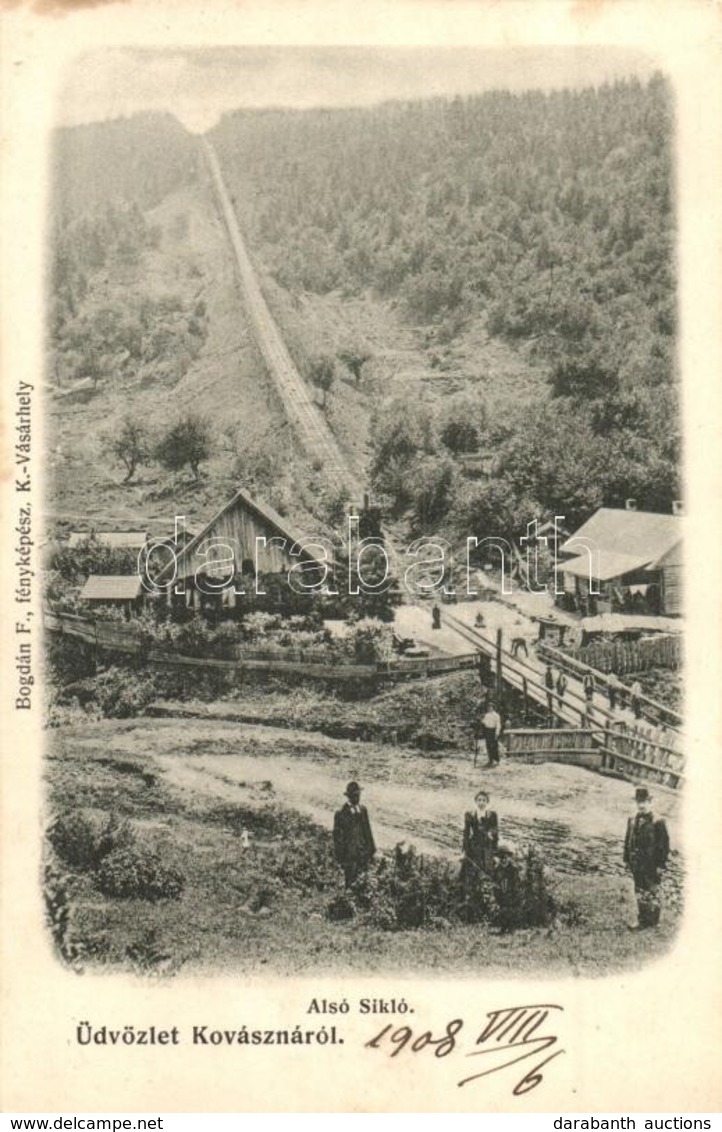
{"x":190,"y":792}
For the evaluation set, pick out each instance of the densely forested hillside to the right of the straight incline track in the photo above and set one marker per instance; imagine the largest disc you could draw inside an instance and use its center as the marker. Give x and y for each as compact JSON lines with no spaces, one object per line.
{"x":551,"y":217}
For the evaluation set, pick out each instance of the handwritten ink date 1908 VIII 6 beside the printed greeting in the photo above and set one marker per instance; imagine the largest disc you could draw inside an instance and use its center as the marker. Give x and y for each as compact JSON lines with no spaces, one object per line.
{"x":511,"y":1035}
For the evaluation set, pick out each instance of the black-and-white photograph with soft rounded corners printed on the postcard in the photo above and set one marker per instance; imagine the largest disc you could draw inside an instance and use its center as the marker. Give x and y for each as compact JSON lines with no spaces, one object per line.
{"x":364,"y":491}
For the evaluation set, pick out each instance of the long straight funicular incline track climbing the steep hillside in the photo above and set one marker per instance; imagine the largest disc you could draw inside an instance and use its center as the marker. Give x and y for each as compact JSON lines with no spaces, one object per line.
{"x":304,"y":416}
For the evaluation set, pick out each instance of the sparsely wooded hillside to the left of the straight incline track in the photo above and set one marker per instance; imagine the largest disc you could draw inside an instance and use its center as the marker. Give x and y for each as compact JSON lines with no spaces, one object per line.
{"x":148,"y":344}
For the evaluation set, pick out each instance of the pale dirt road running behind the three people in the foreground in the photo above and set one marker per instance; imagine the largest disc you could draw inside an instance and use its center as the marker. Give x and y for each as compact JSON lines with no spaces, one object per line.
{"x":574,"y":817}
